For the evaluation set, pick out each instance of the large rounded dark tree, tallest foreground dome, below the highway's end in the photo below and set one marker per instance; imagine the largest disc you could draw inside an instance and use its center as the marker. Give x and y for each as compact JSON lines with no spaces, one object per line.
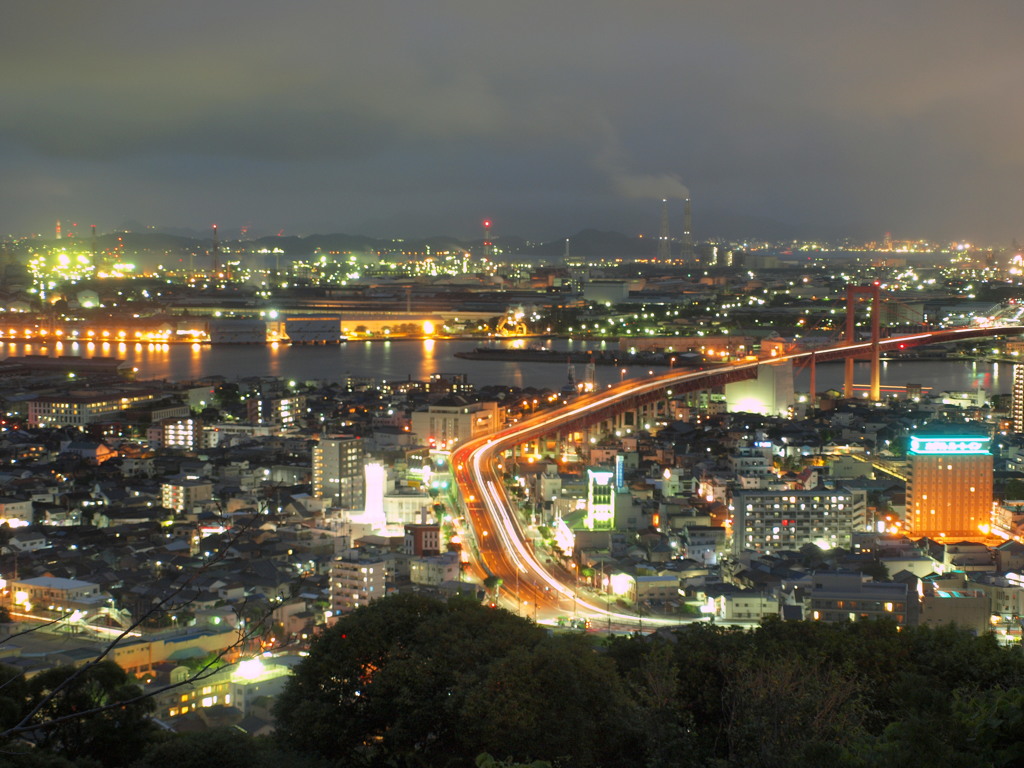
{"x":391,"y":680}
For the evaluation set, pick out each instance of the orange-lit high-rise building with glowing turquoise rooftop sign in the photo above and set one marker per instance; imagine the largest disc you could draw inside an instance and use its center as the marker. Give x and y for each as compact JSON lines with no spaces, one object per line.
{"x":950,"y":490}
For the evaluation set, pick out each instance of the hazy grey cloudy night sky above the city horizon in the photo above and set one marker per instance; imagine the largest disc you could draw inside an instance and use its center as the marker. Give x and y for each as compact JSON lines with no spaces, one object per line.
{"x":423,"y":117}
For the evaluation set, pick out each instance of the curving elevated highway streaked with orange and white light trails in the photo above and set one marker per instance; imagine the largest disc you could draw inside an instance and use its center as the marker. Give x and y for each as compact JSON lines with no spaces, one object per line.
{"x":502,"y":548}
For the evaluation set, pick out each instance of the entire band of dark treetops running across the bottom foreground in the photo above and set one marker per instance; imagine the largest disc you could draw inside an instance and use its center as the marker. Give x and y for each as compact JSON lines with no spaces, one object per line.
{"x":412,"y":681}
